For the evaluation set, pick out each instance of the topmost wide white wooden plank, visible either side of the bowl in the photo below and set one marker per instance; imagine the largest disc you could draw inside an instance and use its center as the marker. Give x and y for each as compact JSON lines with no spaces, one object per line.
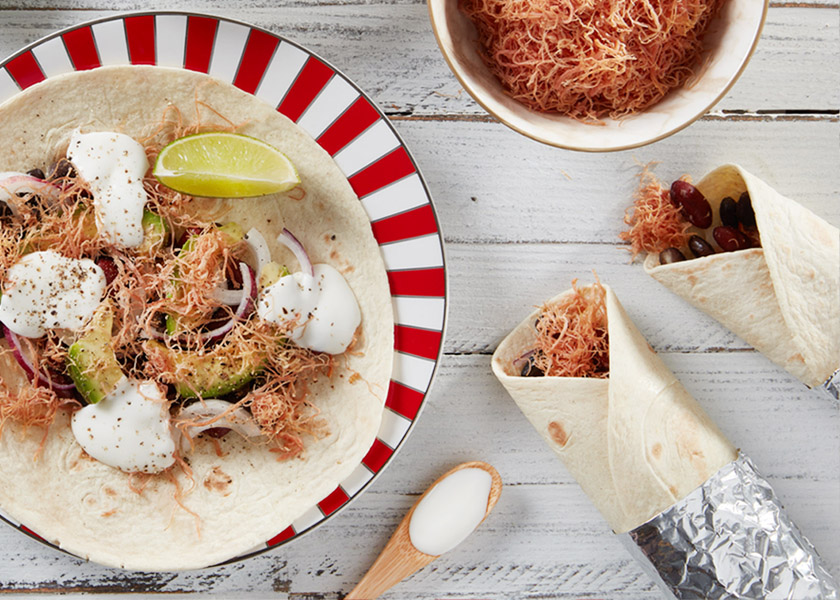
{"x":390,"y":51}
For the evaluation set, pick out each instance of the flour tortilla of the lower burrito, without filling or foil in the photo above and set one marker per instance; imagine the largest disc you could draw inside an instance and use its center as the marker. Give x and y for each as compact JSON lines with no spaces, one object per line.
{"x":636,"y":442}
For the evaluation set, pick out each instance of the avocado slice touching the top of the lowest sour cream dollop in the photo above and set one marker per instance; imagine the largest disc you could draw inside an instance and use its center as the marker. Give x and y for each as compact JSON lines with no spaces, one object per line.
{"x":91,"y":361}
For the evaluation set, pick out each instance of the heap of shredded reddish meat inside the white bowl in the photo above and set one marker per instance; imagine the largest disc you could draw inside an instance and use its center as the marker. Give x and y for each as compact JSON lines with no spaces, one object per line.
{"x":591,"y":58}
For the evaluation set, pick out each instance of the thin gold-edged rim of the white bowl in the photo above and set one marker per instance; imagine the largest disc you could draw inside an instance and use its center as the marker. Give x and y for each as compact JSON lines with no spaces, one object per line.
{"x":548,"y":140}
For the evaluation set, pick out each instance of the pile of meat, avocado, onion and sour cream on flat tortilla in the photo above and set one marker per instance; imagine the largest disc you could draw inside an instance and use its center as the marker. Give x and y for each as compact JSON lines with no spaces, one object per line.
{"x":128,"y":306}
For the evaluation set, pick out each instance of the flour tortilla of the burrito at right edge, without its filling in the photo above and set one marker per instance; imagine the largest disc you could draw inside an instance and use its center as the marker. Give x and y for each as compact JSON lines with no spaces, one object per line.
{"x":782,"y":298}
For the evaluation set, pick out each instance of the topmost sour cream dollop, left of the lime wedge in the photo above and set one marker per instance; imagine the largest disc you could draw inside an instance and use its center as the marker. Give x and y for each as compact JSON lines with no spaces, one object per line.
{"x":113,"y":165}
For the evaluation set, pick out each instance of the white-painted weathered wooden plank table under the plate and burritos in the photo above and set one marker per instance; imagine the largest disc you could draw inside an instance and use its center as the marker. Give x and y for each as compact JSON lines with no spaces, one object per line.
{"x":521,"y":220}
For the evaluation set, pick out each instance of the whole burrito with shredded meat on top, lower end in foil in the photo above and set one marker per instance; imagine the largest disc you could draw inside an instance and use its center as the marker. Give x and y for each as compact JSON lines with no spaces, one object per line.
{"x":697,"y":514}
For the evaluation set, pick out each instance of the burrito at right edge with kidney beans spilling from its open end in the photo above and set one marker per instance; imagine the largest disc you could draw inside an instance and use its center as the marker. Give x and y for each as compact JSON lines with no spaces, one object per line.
{"x":779,"y":291}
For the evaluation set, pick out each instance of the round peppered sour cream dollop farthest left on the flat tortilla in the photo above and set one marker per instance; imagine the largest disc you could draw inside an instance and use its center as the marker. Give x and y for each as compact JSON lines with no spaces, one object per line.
{"x":45,"y":290}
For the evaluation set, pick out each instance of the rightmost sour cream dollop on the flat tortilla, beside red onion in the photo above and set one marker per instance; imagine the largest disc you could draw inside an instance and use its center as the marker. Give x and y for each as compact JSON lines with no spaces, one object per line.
{"x":323,"y":308}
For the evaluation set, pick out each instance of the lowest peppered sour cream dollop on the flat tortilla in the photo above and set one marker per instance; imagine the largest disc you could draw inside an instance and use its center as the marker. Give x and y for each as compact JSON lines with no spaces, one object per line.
{"x":129,"y":429}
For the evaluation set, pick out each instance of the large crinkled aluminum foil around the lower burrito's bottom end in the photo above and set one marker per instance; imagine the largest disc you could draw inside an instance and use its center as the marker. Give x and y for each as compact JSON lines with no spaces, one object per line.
{"x":731,"y":538}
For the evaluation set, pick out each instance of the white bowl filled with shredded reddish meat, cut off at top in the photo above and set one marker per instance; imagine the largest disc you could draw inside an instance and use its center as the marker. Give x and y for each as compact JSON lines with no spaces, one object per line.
{"x":601,"y":75}
